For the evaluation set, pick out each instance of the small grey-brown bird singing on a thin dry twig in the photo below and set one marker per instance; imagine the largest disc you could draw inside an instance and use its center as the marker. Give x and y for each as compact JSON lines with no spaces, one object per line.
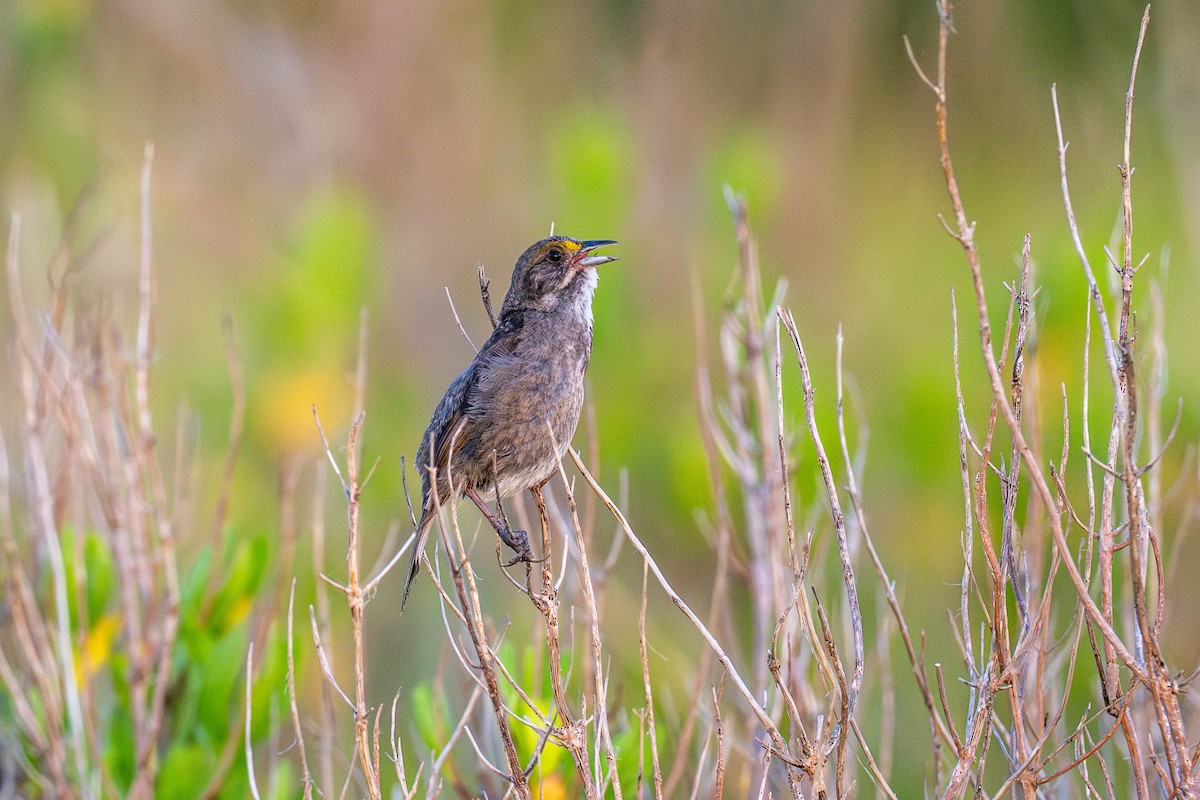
{"x":489,"y":434}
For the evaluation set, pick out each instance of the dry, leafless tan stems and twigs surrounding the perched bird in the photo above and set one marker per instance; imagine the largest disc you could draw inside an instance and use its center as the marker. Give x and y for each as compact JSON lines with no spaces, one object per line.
{"x":1060,"y":622}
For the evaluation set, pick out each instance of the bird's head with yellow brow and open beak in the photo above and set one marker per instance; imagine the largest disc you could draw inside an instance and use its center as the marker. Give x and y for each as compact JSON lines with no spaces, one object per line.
{"x":556,"y":274}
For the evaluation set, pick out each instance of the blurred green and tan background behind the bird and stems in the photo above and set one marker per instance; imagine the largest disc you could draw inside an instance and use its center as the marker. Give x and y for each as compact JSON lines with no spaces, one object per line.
{"x":316,"y":159}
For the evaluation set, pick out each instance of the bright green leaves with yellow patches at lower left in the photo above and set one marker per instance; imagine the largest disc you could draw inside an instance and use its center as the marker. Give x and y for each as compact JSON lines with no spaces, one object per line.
{"x":206,"y":693}
